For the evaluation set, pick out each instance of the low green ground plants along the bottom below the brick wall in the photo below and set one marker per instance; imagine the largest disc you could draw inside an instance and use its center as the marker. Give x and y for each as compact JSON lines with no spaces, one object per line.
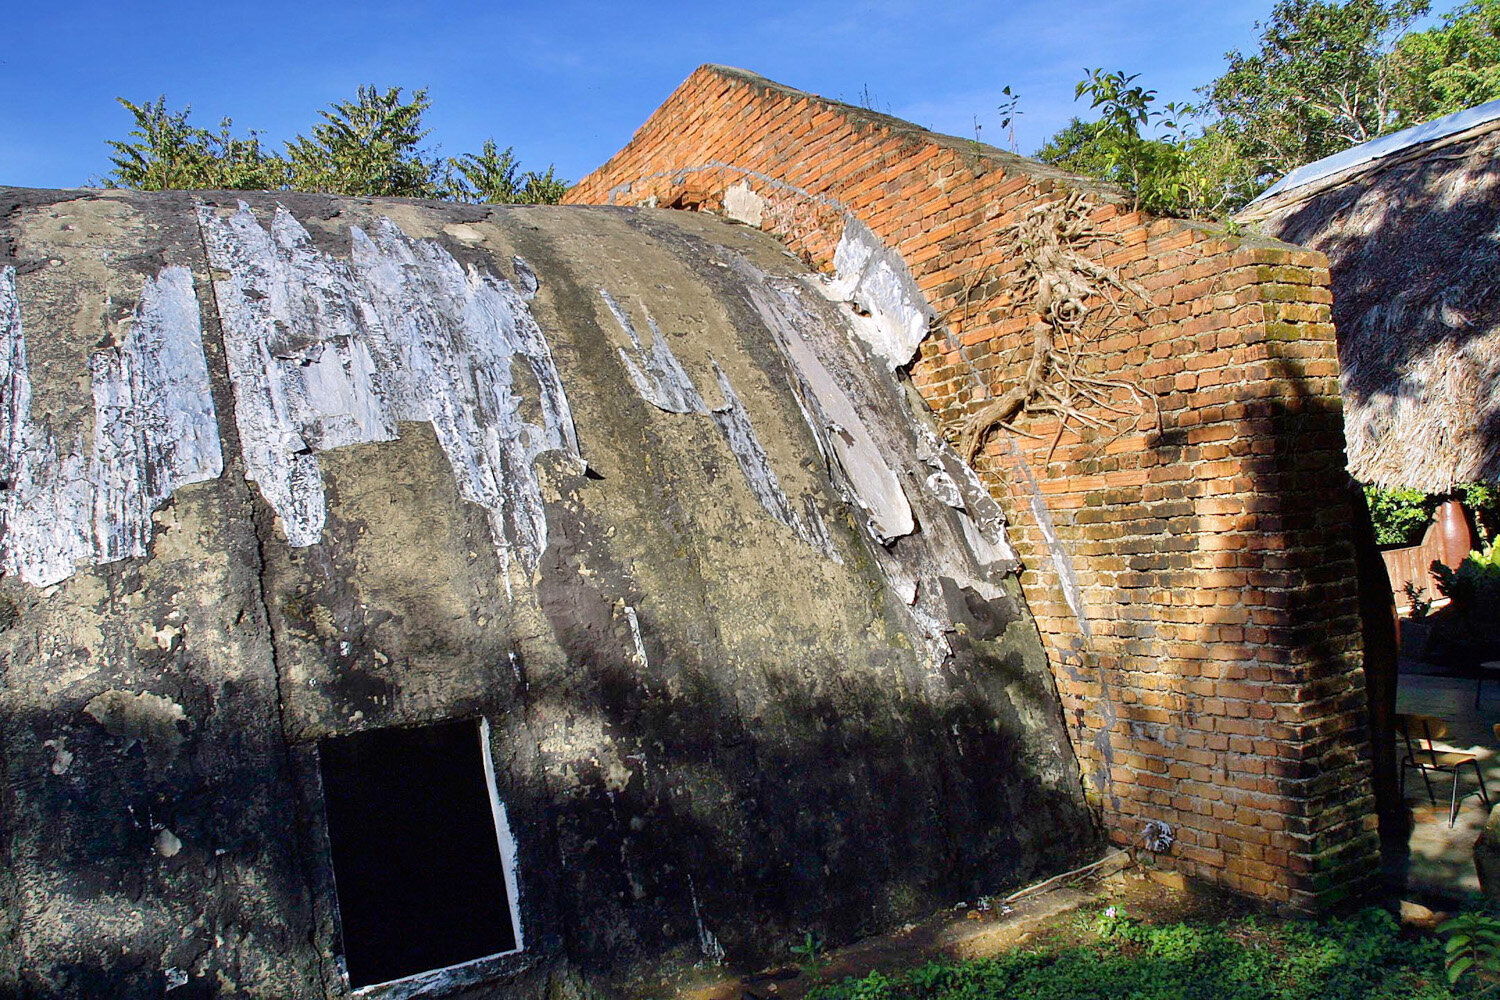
{"x":1118,"y":959}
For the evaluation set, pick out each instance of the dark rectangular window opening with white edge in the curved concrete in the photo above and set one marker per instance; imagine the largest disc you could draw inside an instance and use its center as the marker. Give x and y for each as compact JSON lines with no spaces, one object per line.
{"x":416,"y":836}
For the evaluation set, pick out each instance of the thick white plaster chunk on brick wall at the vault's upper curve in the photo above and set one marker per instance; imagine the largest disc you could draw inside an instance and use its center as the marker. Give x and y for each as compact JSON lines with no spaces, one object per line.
{"x":875,"y":277}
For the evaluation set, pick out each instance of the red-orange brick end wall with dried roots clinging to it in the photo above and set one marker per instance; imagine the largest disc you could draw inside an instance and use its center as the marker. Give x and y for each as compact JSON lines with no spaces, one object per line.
{"x":1192,"y":572}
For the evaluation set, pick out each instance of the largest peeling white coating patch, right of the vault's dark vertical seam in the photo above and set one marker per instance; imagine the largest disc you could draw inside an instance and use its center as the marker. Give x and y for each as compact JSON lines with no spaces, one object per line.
{"x":326,"y":353}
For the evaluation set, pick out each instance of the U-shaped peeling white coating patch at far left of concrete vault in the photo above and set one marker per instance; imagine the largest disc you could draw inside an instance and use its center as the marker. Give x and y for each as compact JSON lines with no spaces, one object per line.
{"x":154,"y":431}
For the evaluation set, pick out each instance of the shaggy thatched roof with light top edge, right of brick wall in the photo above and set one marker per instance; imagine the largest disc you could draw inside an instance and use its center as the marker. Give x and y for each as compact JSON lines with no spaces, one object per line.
{"x":1414,"y":242}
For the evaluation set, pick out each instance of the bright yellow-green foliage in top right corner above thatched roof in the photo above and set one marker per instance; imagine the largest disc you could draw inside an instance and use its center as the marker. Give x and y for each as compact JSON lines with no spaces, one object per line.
{"x":1451,"y":67}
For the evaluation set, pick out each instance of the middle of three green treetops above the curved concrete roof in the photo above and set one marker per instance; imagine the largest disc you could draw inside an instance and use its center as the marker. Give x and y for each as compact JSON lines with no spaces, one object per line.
{"x":368,"y":148}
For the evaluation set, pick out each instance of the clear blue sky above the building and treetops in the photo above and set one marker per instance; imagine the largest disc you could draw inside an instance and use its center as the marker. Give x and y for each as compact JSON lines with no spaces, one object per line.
{"x":568,"y":83}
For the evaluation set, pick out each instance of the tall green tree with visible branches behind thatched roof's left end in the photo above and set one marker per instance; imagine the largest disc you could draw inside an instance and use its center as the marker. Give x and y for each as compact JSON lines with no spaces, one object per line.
{"x":1319,"y":83}
